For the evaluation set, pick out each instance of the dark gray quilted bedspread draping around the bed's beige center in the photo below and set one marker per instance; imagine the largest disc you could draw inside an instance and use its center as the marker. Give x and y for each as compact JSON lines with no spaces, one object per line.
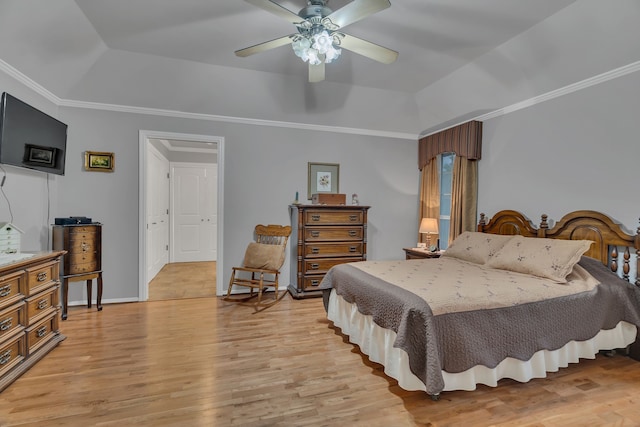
{"x":455,"y":342}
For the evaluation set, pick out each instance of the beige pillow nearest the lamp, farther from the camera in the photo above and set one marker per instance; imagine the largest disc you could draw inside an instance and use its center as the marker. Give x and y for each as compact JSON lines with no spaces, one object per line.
{"x":476,"y":247}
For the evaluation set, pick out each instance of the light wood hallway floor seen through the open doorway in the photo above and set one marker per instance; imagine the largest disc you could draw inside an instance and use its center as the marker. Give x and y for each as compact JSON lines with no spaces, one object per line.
{"x":184,"y":280}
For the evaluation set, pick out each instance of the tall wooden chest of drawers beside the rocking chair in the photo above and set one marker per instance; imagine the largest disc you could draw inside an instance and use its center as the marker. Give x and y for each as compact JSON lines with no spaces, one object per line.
{"x":323,"y":236}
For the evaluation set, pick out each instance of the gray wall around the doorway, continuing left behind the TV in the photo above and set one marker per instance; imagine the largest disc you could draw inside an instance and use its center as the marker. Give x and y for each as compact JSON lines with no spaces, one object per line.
{"x":264,"y":167}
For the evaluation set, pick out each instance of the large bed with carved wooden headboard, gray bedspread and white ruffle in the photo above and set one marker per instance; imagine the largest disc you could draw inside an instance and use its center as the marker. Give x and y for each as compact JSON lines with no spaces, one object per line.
{"x":511,"y":300}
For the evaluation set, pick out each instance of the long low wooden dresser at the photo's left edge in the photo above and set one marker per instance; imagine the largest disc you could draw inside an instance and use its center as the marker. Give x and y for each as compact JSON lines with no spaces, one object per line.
{"x":29,"y":309}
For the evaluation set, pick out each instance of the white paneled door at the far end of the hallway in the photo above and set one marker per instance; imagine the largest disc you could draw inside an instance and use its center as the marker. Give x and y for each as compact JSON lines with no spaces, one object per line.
{"x":195,"y":212}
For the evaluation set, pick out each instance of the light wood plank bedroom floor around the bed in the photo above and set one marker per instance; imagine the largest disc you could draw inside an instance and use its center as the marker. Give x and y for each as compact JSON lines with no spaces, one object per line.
{"x":207,"y":362}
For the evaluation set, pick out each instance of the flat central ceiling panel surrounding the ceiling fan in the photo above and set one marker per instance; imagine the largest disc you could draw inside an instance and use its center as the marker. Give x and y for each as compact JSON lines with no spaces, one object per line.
{"x":433,"y":37}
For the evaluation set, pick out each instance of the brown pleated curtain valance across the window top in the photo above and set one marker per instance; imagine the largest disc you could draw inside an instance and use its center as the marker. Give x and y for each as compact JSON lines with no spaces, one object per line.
{"x":464,"y":140}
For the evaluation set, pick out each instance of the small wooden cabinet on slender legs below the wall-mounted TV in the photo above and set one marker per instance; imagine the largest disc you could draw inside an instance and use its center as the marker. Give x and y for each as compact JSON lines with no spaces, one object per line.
{"x":83,"y":244}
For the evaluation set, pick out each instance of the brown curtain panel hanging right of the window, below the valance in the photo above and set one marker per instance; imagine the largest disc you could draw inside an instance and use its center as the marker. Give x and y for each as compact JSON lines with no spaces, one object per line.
{"x":464,"y":196}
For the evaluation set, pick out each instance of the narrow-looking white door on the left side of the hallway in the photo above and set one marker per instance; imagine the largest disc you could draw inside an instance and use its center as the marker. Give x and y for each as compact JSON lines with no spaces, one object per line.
{"x":157,"y":226}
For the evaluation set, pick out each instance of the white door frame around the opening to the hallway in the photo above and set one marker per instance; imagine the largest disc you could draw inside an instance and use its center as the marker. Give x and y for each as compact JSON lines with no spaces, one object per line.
{"x":144,"y":136}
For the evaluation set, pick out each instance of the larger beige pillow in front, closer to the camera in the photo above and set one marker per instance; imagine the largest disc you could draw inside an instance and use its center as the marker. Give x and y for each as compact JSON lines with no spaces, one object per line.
{"x":549,"y":258}
